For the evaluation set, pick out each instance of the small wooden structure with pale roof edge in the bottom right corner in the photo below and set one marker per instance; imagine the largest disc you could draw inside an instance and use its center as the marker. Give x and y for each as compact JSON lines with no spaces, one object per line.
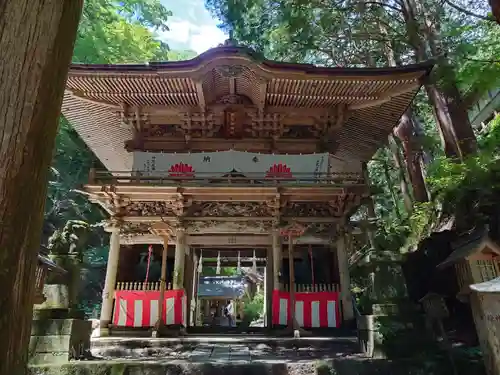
{"x":485,"y":302}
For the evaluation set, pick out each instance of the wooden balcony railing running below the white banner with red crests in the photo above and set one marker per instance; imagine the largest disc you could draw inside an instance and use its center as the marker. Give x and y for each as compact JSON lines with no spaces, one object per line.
{"x":214,"y":178}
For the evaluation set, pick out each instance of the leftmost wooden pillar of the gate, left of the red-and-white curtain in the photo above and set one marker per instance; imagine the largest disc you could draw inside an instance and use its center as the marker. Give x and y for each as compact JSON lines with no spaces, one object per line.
{"x":108,"y":294}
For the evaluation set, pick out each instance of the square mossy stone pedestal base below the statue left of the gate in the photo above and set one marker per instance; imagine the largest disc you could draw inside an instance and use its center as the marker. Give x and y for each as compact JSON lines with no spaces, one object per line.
{"x":59,"y":340}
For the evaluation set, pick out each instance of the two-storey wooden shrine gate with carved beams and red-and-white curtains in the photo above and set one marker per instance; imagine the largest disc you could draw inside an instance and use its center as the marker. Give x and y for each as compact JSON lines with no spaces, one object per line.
{"x":229,"y":152}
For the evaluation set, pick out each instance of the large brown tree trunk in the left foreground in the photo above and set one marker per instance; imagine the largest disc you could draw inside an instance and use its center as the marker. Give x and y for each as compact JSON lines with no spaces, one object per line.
{"x":36,"y":44}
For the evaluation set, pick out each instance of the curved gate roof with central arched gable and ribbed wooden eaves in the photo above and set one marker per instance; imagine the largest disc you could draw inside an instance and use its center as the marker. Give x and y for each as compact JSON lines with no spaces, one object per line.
{"x":373,"y":99}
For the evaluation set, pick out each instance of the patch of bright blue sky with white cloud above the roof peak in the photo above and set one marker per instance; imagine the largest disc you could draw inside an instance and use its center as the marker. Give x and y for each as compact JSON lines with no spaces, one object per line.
{"x":191,"y":26}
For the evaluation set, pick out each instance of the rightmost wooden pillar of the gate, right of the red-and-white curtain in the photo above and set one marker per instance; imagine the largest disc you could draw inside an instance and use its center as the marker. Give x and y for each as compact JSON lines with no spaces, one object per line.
{"x":345,"y":280}
